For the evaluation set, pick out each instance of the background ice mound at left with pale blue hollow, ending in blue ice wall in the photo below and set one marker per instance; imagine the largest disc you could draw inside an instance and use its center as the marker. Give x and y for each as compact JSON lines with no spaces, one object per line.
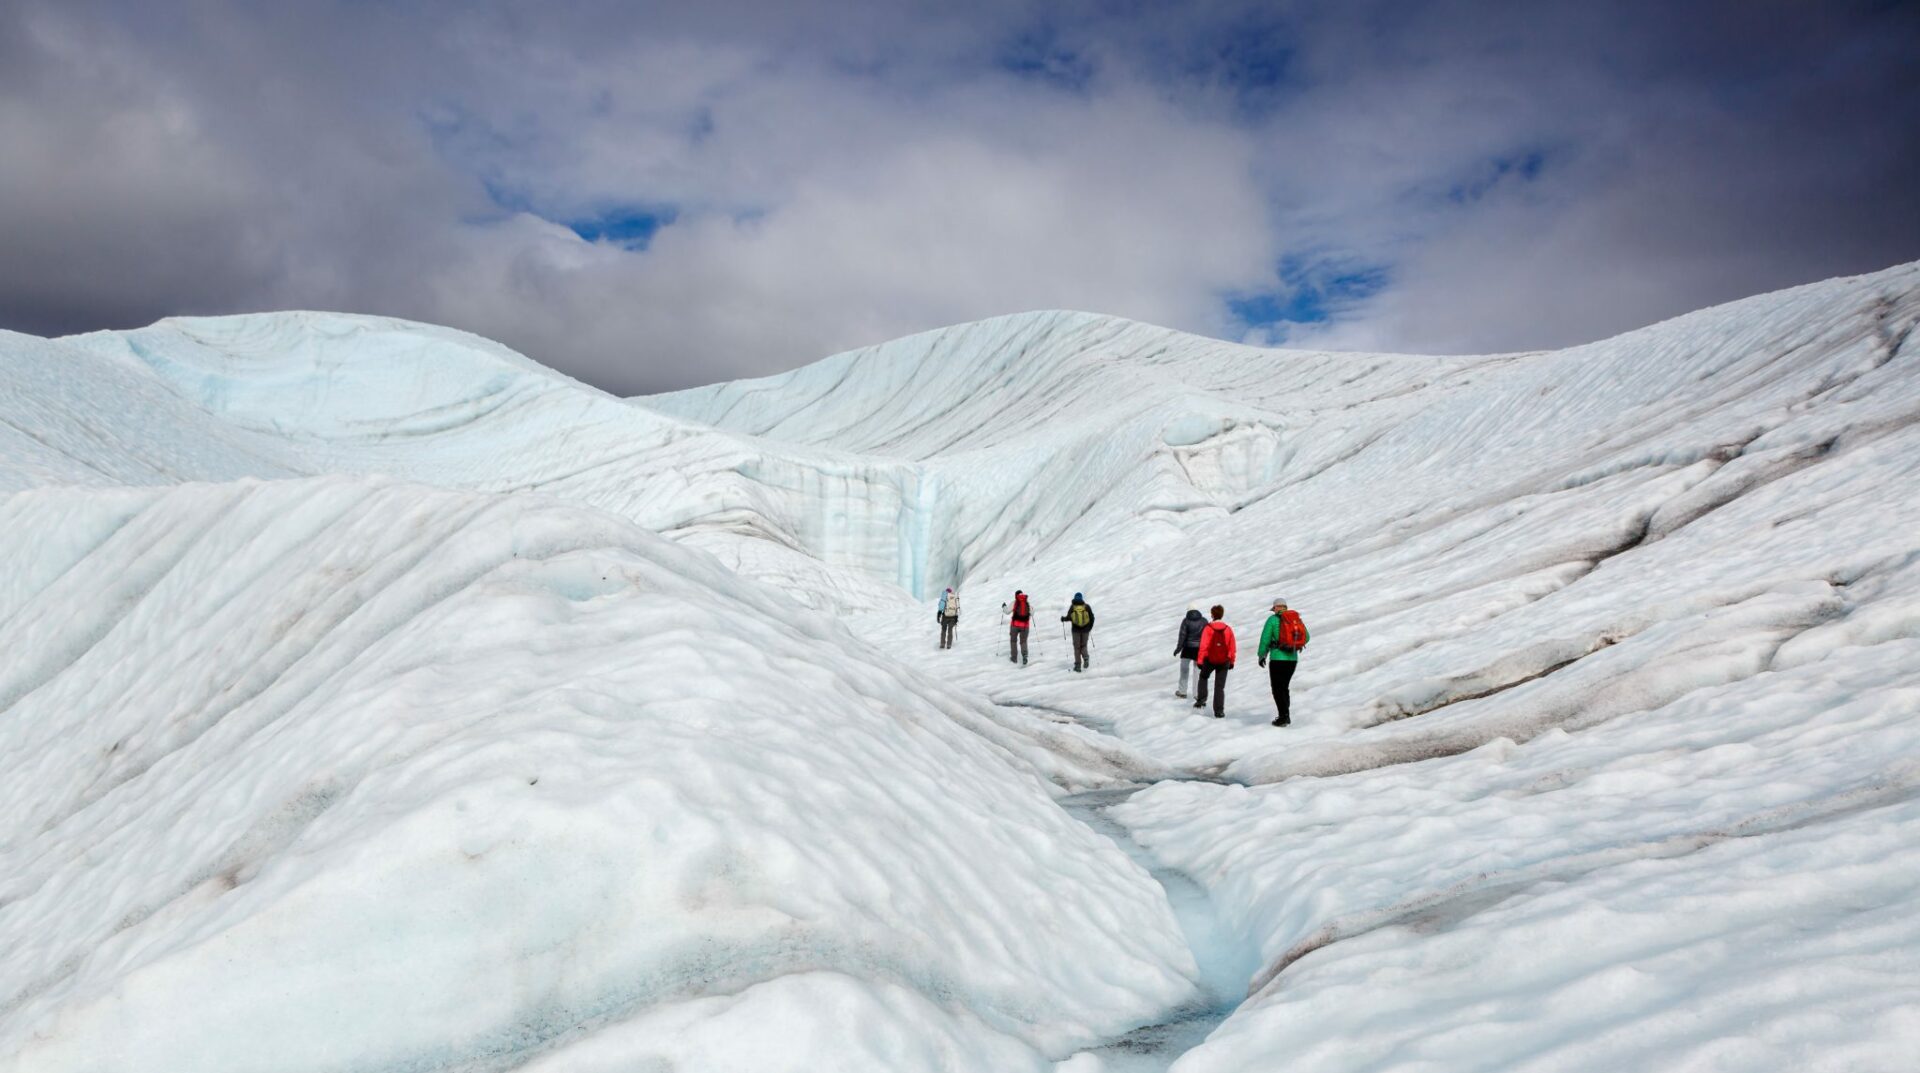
{"x":314,"y":393}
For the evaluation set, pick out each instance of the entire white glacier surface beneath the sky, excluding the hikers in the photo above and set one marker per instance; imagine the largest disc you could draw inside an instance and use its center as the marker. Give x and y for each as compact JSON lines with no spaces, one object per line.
{"x":358,"y":717}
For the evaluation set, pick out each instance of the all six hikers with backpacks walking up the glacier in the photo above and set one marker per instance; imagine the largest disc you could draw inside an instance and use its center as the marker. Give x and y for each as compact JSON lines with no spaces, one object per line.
{"x":1205,"y":644}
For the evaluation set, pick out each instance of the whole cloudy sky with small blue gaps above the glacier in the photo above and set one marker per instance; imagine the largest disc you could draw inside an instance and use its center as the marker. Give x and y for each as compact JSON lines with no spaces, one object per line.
{"x":652,"y":197}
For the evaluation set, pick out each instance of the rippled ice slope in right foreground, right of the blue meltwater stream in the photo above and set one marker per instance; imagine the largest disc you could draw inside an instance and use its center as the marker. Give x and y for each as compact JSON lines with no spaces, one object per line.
{"x":1719,"y":884}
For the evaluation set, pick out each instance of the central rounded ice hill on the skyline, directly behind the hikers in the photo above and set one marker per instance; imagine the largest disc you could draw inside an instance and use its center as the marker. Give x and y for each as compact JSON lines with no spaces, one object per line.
{"x":1067,"y":439}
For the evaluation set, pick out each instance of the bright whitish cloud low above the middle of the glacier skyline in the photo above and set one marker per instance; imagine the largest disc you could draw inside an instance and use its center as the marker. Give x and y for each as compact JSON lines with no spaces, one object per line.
{"x":915,"y":231}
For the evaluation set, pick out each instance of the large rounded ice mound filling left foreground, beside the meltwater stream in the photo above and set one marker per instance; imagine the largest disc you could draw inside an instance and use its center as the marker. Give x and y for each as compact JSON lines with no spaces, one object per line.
{"x":352,"y":775}
